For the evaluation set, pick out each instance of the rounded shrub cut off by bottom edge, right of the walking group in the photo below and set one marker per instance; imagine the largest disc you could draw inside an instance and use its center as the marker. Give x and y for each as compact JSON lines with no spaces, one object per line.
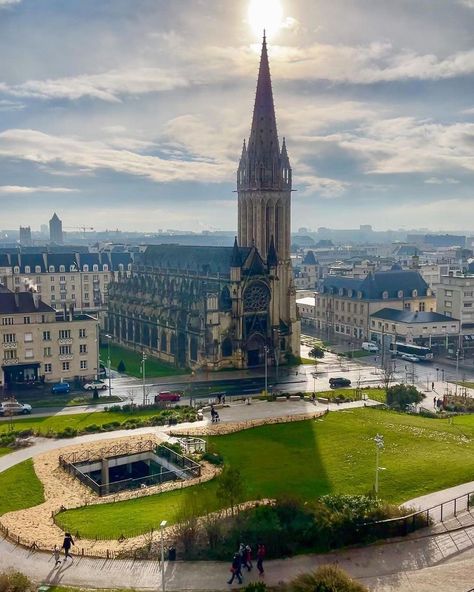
{"x":327,"y":578}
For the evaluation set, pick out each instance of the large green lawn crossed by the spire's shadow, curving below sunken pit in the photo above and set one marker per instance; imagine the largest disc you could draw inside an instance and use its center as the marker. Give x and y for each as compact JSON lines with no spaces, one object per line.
{"x":334,"y":454}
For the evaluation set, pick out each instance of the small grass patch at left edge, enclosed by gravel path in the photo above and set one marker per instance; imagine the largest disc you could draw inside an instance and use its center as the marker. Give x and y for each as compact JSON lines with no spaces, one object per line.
{"x":20,"y":488}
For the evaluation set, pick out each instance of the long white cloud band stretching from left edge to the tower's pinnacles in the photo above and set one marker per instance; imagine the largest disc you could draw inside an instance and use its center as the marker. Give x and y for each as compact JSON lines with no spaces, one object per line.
{"x":45,"y":149}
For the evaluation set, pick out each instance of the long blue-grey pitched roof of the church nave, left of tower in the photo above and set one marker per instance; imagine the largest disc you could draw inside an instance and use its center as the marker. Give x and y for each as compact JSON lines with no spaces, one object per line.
{"x":198,"y":259}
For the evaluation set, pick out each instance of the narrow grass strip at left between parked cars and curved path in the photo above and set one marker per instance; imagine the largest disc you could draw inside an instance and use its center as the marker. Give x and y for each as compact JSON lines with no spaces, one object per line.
{"x":57,"y":423}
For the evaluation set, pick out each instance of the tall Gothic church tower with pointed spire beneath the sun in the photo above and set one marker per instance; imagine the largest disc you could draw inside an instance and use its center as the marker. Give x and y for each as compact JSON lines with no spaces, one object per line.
{"x":264,"y":209}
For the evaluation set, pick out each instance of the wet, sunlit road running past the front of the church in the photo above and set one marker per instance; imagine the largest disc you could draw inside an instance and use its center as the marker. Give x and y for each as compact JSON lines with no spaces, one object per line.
{"x":362,"y":372}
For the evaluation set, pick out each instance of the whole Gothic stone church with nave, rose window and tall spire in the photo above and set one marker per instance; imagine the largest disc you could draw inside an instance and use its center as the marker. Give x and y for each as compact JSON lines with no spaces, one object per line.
{"x":222,"y":307}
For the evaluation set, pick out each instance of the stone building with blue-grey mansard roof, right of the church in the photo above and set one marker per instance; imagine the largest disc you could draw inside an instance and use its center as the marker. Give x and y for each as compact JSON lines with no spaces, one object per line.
{"x":343,"y":305}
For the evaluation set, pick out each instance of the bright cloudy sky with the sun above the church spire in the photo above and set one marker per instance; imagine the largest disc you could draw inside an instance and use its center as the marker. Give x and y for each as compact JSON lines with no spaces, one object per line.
{"x":131,"y":114}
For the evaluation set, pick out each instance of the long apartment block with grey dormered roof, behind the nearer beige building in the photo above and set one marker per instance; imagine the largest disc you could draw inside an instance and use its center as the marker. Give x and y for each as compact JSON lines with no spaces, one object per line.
{"x":80,"y":280}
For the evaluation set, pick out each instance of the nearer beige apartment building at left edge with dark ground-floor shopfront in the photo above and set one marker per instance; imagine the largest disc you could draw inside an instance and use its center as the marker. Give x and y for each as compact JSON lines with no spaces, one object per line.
{"x":38,"y":344}
